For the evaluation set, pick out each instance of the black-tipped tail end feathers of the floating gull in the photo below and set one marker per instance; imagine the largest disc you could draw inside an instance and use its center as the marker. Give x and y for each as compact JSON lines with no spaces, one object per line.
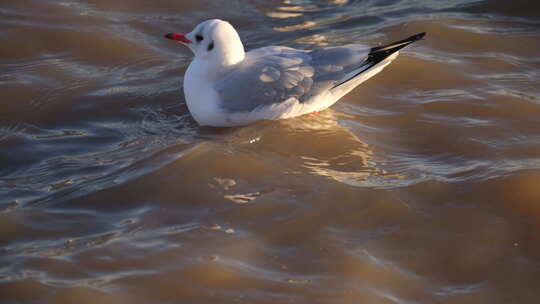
{"x":380,"y":53}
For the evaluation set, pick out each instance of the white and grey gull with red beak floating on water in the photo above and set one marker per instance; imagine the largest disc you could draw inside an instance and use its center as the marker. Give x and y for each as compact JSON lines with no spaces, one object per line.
{"x":226,"y":86}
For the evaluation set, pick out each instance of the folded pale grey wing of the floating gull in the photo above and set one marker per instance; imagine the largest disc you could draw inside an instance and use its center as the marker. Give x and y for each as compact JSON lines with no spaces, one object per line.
{"x":273,"y":75}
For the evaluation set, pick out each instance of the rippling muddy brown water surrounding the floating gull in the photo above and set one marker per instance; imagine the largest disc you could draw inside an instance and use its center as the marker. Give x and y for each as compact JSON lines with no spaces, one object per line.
{"x":420,"y":186}
